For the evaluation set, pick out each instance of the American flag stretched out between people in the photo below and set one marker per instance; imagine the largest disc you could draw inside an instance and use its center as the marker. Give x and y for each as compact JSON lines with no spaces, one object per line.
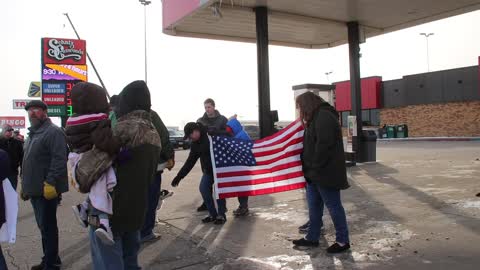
{"x":250,"y":168}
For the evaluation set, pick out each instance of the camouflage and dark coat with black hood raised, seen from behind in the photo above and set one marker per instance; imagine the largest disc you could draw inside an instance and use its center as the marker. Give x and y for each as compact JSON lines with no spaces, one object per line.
{"x":136,"y":170}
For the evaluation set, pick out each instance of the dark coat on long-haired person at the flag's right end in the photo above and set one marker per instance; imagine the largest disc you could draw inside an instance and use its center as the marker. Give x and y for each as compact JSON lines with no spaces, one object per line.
{"x":323,"y":154}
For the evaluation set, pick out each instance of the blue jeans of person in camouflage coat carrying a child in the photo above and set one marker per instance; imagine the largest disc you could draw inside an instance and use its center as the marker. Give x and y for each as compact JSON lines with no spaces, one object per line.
{"x":122,"y":255}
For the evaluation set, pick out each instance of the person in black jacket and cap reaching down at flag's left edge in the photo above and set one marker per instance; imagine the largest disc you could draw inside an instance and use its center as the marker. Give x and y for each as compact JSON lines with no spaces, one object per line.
{"x":201,"y":150}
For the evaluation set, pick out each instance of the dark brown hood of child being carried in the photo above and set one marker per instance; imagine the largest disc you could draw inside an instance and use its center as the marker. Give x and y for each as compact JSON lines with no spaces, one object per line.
{"x":89,"y":98}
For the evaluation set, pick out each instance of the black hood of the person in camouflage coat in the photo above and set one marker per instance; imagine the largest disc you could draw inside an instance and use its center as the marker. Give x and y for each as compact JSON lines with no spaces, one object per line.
{"x":135,"y":96}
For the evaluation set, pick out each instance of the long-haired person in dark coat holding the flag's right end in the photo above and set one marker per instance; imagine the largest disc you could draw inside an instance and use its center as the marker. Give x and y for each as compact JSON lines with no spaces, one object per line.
{"x":324,"y":169}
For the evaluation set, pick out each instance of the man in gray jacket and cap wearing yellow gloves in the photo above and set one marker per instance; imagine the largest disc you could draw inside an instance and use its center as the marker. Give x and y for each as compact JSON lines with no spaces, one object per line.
{"x":44,"y":170}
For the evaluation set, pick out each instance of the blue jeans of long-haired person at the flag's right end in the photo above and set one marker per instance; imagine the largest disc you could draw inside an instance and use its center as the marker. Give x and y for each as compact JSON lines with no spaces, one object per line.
{"x":317,"y":197}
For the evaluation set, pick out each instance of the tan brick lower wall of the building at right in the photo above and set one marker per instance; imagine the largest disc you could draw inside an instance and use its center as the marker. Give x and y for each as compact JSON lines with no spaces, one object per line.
{"x":436,"y":120}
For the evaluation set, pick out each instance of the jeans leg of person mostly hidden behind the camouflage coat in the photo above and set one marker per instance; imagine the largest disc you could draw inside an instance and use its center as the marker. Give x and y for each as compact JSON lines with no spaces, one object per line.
{"x":153,"y":199}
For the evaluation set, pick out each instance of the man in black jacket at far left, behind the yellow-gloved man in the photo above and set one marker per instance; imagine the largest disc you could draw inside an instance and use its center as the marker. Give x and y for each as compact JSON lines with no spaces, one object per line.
{"x":14,"y":148}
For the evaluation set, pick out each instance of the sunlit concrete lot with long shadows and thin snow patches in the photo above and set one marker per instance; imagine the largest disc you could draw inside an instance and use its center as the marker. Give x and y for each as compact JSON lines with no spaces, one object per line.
{"x":415,"y":209}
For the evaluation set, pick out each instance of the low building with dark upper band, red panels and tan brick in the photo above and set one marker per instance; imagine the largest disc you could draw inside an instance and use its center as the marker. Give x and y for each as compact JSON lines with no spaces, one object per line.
{"x":435,"y":104}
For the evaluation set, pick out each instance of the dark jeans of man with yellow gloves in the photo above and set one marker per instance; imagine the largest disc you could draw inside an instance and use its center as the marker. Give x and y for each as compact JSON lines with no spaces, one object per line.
{"x":46,"y":217}
